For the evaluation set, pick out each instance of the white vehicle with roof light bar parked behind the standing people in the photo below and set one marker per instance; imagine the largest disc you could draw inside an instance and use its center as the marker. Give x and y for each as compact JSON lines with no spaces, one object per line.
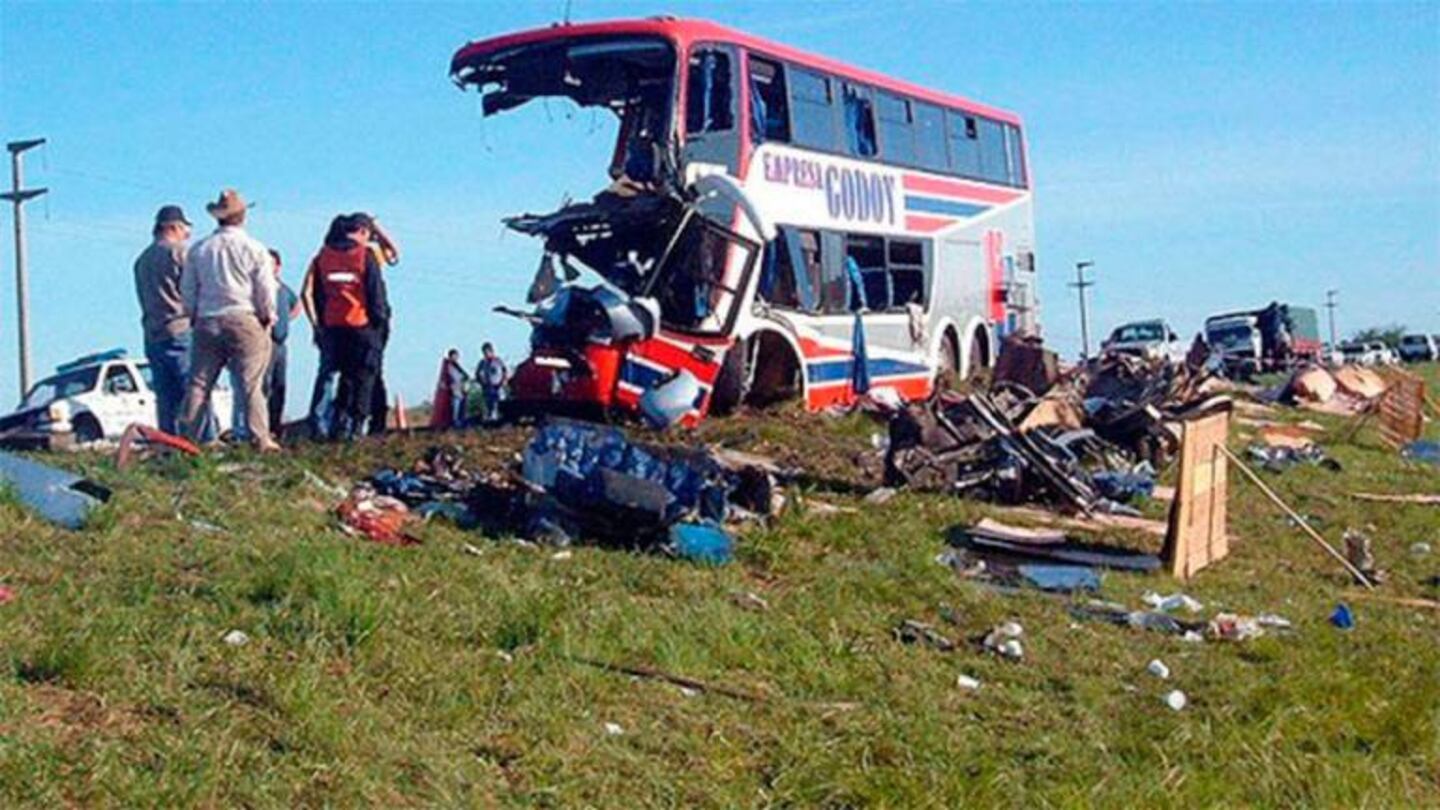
{"x":90,"y":400}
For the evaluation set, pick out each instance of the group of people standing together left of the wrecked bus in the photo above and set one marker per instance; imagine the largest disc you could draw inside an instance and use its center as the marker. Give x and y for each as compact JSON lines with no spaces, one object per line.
{"x":221,"y":305}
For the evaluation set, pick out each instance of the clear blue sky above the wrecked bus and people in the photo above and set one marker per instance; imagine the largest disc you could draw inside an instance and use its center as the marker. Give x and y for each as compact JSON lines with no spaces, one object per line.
{"x":1205,"y":156}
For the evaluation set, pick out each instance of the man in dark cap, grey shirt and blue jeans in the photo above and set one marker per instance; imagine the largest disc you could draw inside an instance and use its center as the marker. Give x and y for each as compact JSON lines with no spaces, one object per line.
{"x":163,"y":313}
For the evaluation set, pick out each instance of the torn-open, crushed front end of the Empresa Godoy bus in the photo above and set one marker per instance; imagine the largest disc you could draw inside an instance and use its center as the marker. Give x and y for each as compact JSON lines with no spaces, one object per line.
{"x":667,"y":260}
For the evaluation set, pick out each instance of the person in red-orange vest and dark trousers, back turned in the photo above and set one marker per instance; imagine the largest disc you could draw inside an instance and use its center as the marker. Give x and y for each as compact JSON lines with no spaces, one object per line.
{"x":355,"y":313}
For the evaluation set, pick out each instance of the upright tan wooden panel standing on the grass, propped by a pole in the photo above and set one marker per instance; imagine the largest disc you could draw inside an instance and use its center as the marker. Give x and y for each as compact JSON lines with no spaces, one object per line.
{"x":1196,"y":535}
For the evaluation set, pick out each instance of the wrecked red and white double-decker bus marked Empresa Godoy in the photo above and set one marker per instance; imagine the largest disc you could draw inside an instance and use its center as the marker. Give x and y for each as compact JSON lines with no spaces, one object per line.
{"x":765,"y":205}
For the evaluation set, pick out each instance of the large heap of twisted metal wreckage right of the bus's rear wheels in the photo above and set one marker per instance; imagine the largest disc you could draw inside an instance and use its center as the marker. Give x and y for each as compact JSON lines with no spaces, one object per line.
{"x":1089,"y":443}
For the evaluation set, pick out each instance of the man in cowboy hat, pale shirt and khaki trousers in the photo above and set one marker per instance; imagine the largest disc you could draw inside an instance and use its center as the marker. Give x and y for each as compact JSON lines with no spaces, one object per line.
{"x":230,"y":293}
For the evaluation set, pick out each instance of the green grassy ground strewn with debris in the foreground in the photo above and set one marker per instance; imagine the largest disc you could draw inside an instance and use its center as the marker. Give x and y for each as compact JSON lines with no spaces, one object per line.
{"x":377,"y":675}
